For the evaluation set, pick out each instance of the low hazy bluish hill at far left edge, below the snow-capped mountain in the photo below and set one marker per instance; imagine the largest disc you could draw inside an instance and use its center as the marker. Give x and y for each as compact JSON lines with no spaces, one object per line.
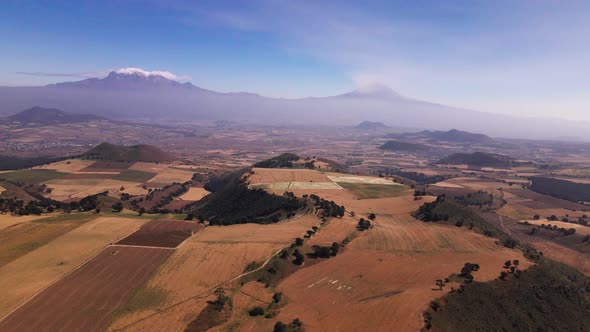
{"x":39,"y":116}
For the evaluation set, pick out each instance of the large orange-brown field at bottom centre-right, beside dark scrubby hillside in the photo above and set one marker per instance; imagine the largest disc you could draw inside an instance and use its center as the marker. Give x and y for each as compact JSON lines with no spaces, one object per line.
{"x":368,"y":290}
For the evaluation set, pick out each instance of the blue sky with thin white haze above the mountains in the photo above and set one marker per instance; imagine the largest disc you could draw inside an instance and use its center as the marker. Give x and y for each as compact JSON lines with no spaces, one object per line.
{"x":525,"y":58}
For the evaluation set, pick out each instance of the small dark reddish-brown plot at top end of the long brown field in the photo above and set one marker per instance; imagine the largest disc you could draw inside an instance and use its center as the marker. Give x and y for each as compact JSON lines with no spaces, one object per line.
{"x":161,"y":233}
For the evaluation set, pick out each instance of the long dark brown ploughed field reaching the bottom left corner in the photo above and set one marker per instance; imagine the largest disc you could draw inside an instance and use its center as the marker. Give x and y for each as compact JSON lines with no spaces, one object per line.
{"x":86,"y":299}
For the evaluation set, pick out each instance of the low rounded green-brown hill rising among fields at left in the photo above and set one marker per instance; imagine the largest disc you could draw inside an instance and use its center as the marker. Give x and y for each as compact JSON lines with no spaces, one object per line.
{"x":142,"y":152}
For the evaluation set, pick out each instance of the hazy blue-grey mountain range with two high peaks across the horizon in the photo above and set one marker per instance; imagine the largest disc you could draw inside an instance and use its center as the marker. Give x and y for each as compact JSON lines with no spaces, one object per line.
{"x":133,"y":96}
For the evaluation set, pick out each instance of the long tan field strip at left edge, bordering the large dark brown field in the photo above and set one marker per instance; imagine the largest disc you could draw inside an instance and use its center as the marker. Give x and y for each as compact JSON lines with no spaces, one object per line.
{"x":36,"y":270}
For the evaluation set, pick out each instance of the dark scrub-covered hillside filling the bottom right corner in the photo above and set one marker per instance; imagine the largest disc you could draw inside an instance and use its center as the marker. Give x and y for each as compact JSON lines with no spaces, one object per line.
{"x":549,"y":296}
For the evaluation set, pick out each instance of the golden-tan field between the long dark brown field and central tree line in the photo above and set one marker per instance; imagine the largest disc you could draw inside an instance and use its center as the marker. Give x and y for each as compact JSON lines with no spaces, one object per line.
{"x":207,"y":259}
